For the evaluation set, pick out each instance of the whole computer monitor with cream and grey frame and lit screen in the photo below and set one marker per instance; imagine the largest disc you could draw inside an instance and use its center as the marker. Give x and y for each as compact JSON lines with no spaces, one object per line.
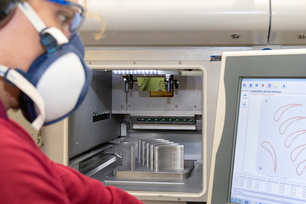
{"x":259,"y":153}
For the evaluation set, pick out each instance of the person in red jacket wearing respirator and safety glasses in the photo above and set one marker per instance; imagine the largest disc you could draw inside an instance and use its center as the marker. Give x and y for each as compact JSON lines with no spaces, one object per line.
{"x":42,"y":72}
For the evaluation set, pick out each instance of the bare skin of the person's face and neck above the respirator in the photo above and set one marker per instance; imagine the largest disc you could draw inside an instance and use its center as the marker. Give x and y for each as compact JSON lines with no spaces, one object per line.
{"x":20,"y":42}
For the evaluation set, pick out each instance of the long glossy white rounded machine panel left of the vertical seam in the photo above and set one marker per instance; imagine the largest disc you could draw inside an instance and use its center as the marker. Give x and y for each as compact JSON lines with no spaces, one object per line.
{"x":173,"y":22}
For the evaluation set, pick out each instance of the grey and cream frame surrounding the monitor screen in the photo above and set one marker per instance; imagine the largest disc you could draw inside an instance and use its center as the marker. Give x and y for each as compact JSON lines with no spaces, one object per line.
{"x":260,"y":64}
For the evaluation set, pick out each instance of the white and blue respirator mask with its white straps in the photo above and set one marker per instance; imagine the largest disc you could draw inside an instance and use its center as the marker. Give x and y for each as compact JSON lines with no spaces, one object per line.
{"x":56,"y":83}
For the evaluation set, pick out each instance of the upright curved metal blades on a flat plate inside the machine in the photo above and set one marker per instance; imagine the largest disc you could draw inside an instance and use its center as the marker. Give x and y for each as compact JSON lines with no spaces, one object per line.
{"x":158,"y":159}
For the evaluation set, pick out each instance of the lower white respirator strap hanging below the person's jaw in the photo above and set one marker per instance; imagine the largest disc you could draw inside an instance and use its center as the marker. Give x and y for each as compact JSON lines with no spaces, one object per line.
{"x":14,"y":77}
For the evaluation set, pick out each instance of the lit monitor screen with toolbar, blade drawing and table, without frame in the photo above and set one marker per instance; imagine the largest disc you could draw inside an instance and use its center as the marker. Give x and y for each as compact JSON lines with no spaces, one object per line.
{"x":269,"y":162}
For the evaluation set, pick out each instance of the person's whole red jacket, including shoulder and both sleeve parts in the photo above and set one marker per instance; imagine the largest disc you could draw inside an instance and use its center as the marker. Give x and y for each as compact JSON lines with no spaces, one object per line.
{"x":29,"y":176}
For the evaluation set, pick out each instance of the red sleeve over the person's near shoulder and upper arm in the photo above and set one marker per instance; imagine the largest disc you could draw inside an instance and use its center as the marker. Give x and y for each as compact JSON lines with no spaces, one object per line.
{"x":25,"y":174}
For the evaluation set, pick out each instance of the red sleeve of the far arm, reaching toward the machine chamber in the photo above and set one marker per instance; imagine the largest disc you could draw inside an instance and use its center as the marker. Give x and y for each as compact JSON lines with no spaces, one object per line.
{"x":83,"y":189}
